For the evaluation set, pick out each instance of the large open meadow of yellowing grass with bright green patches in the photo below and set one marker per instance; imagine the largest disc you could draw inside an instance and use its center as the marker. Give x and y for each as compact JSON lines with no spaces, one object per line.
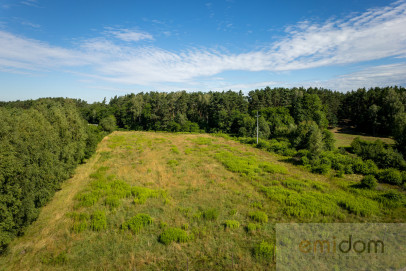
{"x":203,"y":177}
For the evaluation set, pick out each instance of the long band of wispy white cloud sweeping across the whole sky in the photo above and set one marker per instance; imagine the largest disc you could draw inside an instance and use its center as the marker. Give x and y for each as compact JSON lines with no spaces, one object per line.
{"x":374,"y":34}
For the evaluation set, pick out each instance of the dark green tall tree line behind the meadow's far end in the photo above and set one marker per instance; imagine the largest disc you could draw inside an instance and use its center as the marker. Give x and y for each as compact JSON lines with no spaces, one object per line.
{"x":283,"y":111}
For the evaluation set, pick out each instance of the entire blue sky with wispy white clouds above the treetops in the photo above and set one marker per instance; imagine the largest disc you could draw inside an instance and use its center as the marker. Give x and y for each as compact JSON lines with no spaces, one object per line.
{"x":96,"y":49}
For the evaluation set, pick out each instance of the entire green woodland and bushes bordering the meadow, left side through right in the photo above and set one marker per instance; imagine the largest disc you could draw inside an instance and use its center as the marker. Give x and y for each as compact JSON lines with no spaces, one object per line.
{"x":42,"y":141}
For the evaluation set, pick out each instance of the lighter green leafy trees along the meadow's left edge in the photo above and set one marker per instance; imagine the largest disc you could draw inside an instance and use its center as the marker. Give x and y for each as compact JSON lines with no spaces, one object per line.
{"x":41,"y":143}
